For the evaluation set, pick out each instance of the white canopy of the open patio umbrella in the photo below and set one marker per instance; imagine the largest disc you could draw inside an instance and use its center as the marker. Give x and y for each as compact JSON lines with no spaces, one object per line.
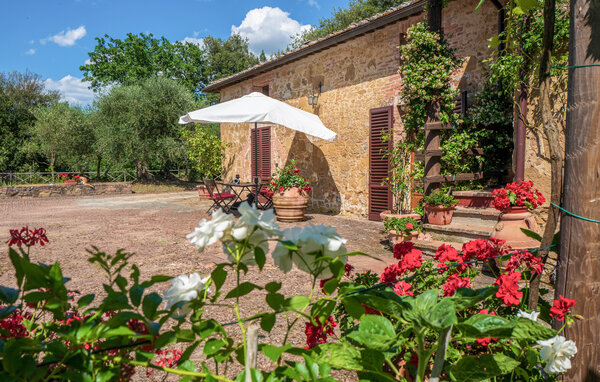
{"x":259,"y":108}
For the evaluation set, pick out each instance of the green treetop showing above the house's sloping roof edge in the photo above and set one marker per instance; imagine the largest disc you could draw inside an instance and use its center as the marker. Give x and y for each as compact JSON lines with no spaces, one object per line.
{"x":343,"y":17}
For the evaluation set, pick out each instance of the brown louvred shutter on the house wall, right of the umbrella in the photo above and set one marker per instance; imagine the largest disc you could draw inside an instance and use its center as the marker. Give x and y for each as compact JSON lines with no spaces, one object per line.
{"x":380,"y":197}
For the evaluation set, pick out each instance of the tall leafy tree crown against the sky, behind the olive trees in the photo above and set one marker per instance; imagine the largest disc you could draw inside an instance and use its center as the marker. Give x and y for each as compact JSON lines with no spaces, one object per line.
{"x":138,"y":57}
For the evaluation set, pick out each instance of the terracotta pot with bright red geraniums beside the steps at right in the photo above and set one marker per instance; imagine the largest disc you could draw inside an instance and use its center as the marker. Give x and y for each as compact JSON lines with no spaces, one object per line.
{"x":516,"y":200}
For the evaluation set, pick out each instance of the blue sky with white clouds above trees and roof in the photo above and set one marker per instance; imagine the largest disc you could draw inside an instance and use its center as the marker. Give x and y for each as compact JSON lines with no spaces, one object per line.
{"x":52,"y":38}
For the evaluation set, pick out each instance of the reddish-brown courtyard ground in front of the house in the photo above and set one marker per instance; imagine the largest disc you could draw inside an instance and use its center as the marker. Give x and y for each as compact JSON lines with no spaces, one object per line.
{"x":154,"y":226}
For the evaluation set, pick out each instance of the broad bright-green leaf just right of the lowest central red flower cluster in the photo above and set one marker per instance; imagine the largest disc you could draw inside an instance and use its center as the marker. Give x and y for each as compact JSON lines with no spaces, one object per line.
{"x":374,"y":332}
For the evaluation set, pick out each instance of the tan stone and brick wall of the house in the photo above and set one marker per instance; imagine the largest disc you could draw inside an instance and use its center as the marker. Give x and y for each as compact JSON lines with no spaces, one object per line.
{"x":357,"y":75}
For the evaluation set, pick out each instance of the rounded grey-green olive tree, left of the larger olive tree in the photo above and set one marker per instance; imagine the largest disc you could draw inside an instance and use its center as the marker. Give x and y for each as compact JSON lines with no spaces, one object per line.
{"x":63,"y":135}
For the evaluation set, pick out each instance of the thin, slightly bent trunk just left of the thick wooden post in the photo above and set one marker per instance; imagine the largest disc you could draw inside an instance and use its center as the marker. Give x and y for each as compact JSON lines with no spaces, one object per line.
{"x":553,"y":137}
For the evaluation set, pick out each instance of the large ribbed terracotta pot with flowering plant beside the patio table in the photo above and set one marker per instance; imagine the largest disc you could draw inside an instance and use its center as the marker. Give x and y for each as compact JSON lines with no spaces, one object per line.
{"x":290,"y":193}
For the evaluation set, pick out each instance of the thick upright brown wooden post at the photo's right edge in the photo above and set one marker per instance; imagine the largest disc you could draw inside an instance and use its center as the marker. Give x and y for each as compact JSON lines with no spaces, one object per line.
{"x":579,"y":256}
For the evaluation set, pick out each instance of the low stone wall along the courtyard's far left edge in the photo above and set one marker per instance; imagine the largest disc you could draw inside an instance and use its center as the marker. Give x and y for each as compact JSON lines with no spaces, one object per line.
{"x":54,"y":190}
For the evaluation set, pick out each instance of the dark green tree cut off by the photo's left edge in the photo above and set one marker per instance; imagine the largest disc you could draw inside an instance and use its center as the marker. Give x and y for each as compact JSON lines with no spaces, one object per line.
{"x":20,"y":95}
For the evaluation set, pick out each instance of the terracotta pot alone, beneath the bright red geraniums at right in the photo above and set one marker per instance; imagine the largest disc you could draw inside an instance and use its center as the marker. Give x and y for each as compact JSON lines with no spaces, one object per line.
{"x":509,"y":227}
